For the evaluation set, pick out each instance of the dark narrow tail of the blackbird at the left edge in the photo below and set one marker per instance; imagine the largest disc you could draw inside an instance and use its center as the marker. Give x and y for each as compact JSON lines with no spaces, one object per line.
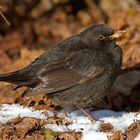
{"x":19,"y":78}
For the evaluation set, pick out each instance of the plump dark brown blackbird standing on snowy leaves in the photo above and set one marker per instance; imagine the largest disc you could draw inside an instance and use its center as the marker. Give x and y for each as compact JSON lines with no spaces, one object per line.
{"x":76,"y":72}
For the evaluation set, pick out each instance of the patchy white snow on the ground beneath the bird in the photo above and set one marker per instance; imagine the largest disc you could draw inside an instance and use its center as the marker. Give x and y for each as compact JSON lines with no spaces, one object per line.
{"x":120,"y":120}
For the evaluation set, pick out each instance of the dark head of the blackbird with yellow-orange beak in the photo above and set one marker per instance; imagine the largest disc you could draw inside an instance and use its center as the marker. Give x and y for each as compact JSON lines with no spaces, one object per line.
{"x":100,"y":36}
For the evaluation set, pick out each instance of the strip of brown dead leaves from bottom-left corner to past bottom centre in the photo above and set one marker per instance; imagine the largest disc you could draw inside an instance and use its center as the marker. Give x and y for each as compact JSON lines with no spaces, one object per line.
{"x":32,"y":129}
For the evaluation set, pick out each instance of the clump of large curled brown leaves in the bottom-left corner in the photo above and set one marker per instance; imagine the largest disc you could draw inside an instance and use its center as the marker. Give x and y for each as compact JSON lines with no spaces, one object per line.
{"x":25,"y":128}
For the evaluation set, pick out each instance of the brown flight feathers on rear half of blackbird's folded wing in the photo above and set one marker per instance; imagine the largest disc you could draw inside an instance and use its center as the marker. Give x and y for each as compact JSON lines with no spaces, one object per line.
{"x":57,"y":76}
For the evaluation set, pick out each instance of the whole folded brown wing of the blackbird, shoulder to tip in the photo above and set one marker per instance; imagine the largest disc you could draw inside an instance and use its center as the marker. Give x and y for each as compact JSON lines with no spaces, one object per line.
{"x":66,"y":72}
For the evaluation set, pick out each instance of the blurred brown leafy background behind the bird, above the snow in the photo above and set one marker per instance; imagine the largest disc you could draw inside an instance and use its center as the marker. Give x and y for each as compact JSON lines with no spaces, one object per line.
{"x":37,"y":25}
